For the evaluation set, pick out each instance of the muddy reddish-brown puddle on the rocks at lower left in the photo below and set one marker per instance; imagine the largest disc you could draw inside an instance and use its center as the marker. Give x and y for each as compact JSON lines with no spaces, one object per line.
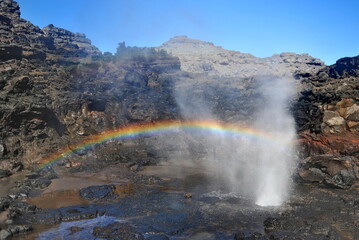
{"x":57,"y":199}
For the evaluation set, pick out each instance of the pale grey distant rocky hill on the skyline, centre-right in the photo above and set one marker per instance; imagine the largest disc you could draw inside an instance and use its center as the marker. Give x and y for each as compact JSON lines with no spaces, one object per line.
{"x":204,"y":57}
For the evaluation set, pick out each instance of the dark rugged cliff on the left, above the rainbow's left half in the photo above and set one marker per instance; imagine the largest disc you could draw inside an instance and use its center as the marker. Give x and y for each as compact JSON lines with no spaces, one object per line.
{"x":56,"y":87}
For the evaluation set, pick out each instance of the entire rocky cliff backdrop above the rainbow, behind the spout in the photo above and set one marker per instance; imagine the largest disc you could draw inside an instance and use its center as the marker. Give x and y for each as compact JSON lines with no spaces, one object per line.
{"x":56,"y":88}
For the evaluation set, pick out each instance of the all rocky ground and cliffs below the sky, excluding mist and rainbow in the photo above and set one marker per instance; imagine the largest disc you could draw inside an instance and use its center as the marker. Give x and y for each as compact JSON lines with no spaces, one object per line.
{"x":57,"y":89}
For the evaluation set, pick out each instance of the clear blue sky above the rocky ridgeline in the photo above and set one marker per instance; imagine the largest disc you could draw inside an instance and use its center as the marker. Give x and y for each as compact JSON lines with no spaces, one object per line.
{"x":326,"y":29}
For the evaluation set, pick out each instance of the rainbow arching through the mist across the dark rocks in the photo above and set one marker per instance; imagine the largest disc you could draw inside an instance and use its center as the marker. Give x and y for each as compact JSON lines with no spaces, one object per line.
{"x":160,"y":127}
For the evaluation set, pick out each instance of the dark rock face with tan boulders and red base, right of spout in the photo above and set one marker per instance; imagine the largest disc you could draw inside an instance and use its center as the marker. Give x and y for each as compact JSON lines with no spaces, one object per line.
{"x":331,"y":116}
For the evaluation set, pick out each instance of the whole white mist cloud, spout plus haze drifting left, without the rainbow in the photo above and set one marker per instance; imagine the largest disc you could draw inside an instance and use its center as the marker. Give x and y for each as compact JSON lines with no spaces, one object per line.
{"x":257,"y":168}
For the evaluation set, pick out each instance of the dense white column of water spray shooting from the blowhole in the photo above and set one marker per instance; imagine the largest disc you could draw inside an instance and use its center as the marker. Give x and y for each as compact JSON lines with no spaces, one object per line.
{"x":275,"y":161}
